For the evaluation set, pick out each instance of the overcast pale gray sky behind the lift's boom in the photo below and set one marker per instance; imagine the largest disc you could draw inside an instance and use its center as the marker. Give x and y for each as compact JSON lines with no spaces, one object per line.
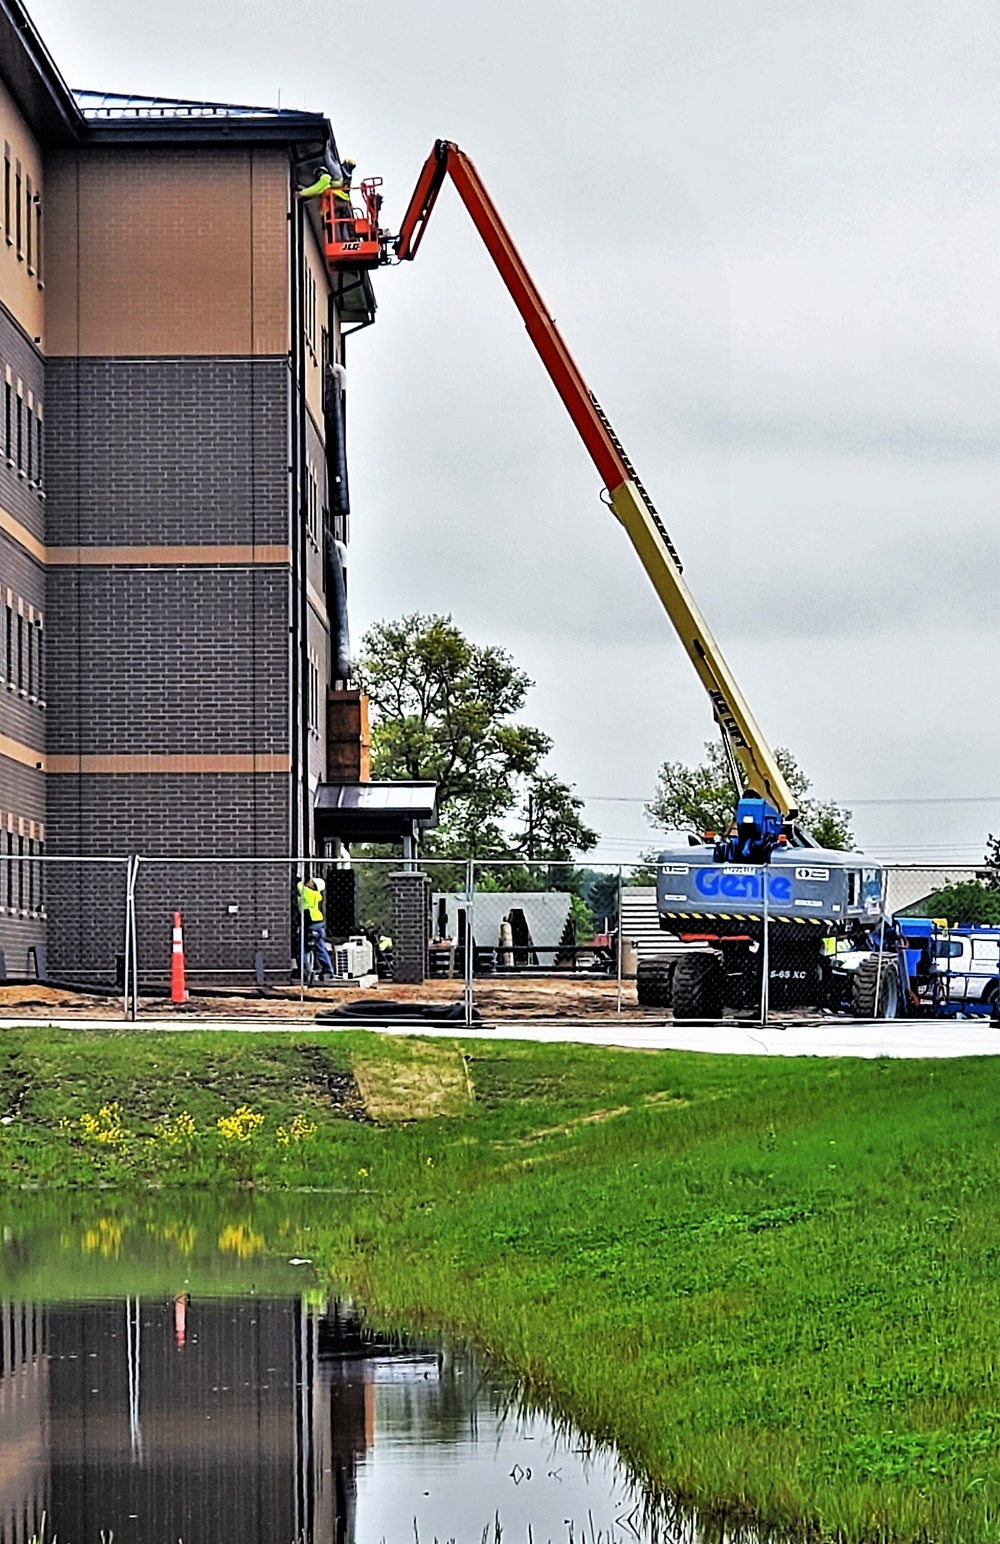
{"x":771,"y":235}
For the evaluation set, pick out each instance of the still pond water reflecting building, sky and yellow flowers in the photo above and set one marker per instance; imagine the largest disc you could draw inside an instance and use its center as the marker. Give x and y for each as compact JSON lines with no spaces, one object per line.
{"x":187,"y":1376}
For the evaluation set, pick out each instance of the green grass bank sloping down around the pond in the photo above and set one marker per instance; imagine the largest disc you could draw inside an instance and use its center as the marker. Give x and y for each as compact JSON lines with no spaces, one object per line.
{"x":774,"y":1284}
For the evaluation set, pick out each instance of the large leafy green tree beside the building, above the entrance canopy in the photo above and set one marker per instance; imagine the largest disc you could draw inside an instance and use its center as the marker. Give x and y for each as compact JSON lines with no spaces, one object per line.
{"x":444,"y":709}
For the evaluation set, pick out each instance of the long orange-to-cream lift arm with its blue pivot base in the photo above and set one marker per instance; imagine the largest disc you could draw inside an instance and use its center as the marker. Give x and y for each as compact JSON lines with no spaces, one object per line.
{"x":766,"y":810}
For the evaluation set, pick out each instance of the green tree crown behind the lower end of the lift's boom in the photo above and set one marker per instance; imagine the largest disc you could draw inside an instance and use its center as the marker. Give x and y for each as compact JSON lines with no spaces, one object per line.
{"x":701,"y":797}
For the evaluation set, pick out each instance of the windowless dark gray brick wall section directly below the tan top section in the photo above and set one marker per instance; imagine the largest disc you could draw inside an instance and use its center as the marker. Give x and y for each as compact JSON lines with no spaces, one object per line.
{"x":167,"y":450}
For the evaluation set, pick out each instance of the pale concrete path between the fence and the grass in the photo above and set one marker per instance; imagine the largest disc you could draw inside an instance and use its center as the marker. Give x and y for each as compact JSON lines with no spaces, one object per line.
{"x":908,"y":1038}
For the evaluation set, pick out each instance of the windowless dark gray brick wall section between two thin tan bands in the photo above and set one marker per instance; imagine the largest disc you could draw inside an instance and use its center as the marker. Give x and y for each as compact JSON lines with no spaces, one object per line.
{"x":169,"y":662}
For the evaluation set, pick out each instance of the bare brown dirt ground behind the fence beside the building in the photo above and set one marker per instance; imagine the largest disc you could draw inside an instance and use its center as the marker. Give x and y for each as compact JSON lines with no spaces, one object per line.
{"x":513,"y":998}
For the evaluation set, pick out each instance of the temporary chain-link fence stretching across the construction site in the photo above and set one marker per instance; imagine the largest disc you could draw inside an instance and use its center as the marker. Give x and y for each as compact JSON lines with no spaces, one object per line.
{"x":380,"y":941}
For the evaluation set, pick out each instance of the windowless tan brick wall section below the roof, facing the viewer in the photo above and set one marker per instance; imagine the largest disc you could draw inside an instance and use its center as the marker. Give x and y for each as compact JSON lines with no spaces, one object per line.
{"x":177,"y":252}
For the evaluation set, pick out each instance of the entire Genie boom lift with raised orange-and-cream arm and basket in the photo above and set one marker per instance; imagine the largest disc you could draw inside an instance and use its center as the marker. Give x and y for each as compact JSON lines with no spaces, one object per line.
{"x":754,"y":918}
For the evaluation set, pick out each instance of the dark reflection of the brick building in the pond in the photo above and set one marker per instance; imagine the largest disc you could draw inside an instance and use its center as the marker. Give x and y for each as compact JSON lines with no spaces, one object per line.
{"x":200,"y":1421}
